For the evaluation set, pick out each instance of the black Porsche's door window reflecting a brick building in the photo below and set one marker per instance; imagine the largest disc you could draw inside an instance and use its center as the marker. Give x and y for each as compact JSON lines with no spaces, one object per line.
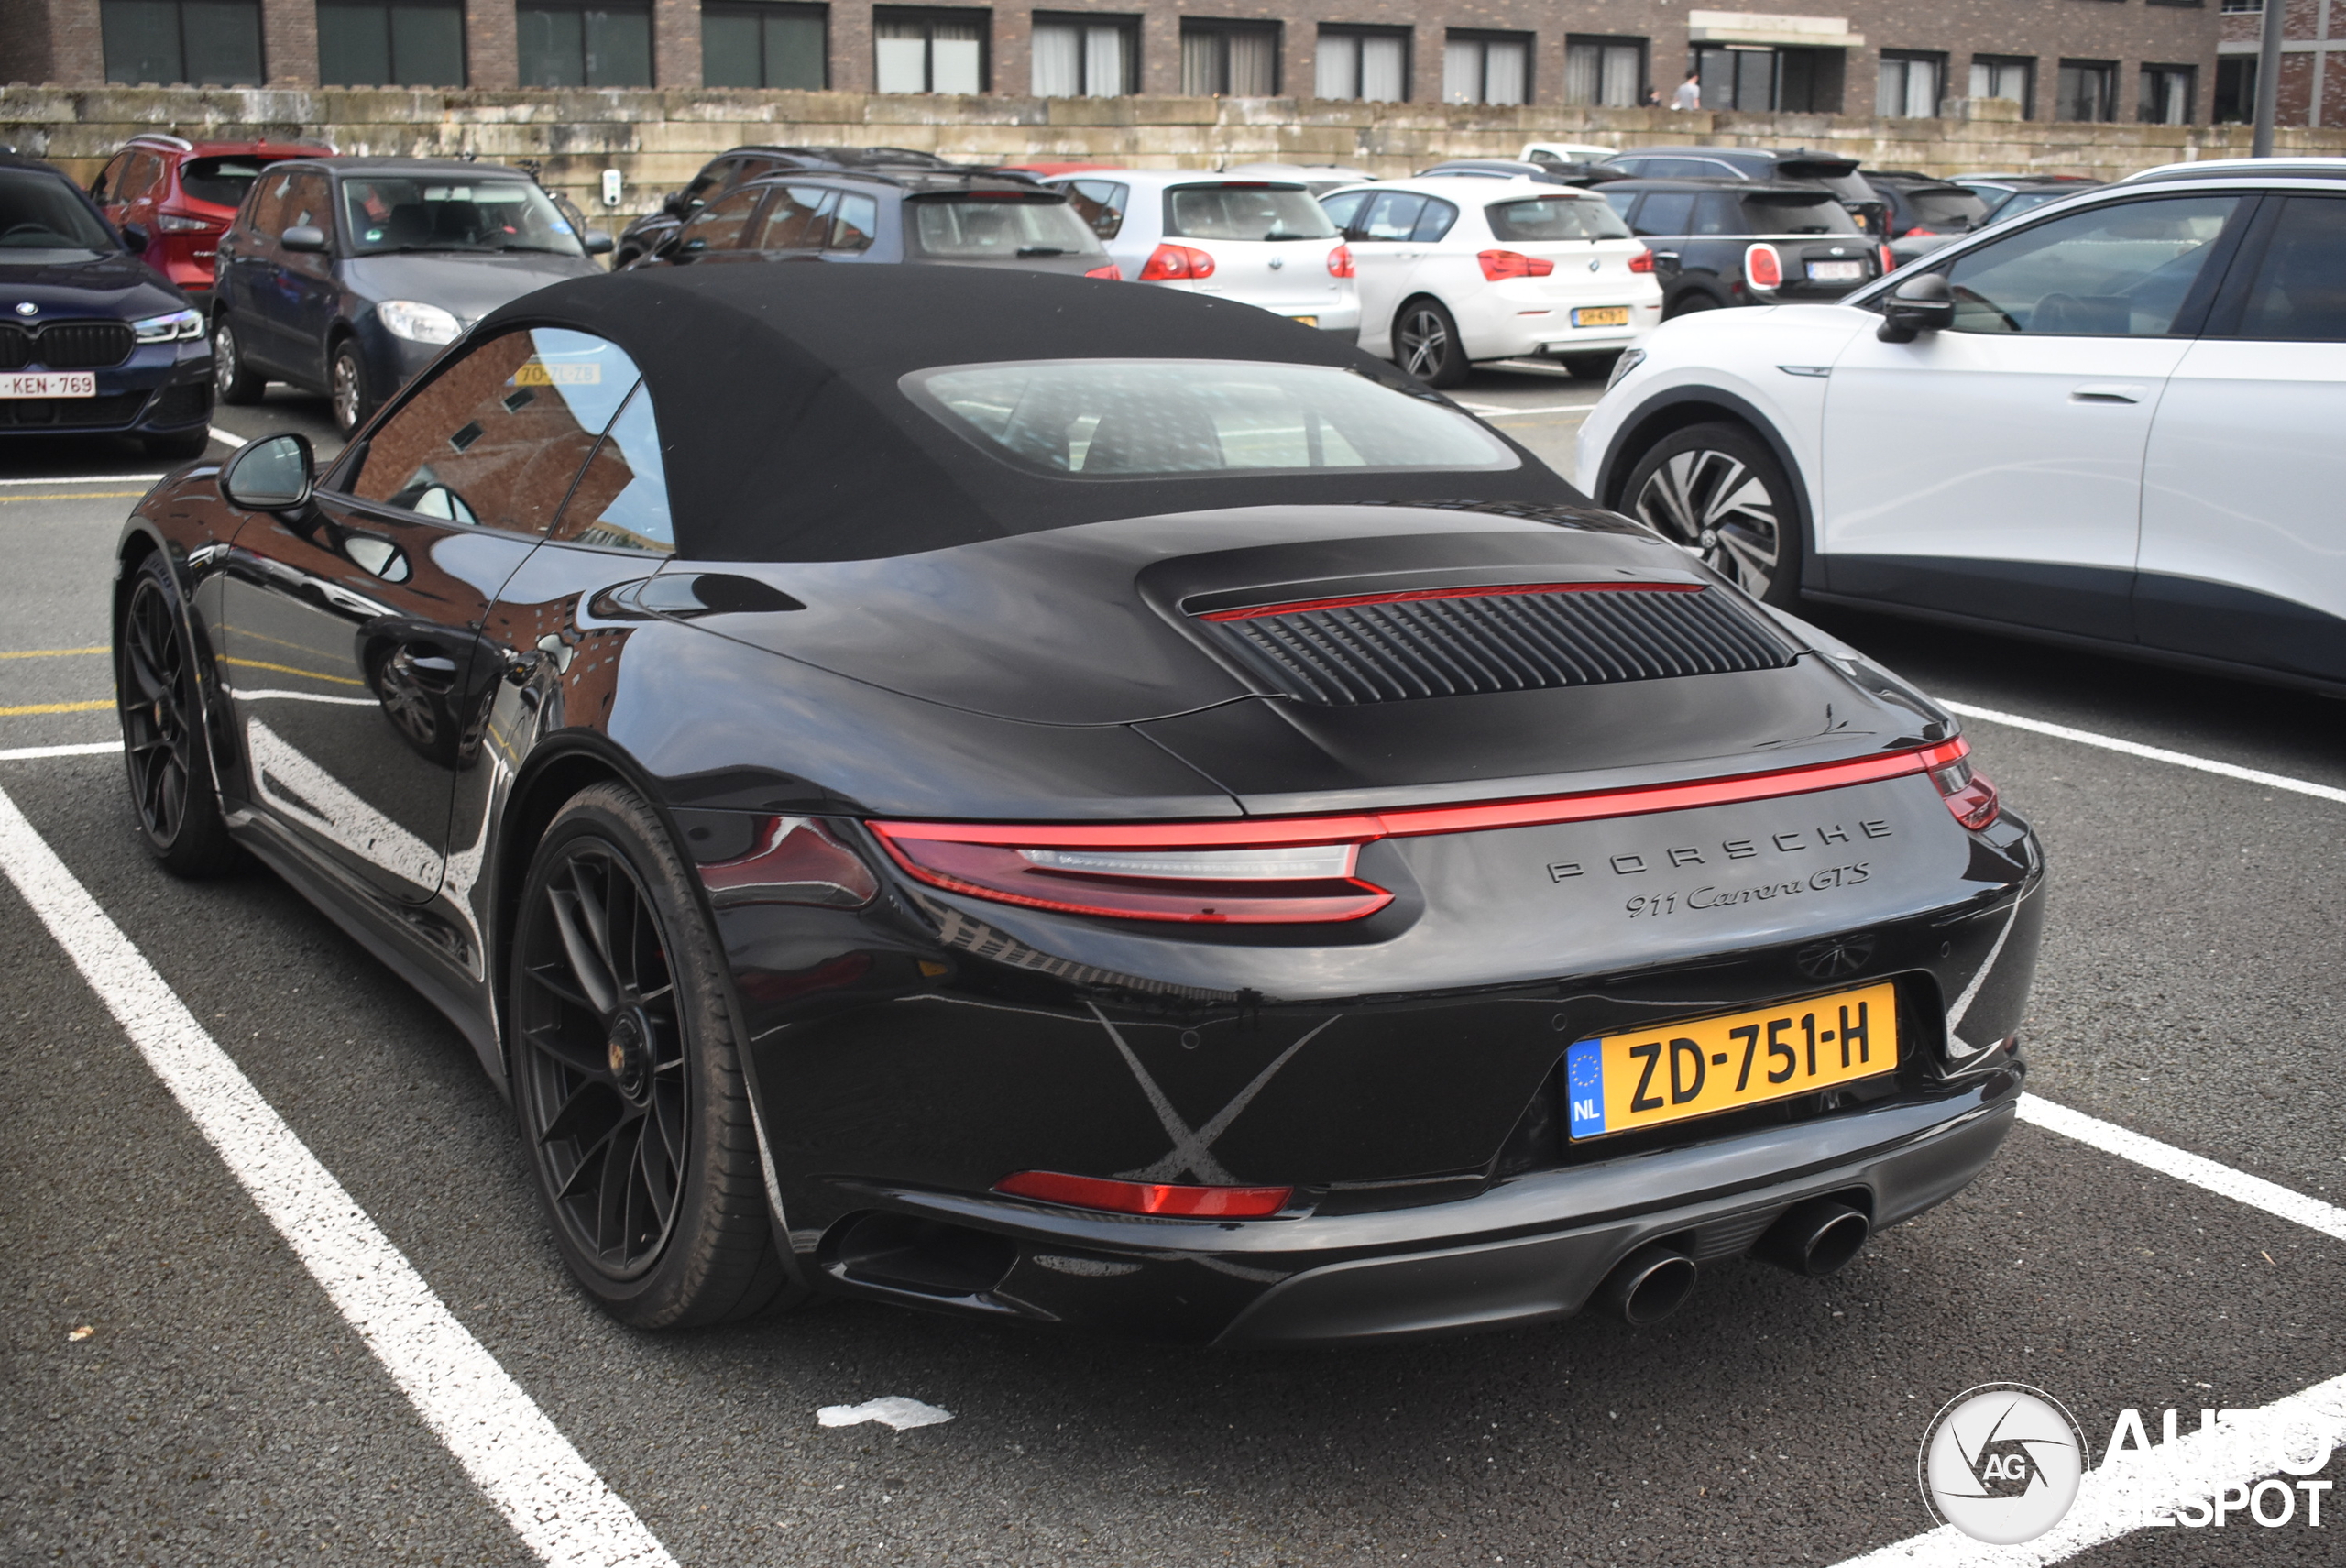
{"x":499,"y":435}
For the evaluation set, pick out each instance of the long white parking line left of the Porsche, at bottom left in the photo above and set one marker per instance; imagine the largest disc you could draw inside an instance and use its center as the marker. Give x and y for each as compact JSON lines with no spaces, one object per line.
{"x":527,"y":1468}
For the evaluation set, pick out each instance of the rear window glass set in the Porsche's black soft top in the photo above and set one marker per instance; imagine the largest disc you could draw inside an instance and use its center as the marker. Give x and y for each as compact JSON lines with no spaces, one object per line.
{"x":1118,"y":419}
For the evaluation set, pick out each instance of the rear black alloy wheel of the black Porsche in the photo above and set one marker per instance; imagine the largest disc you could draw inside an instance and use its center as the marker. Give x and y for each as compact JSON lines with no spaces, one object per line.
{"x":628,"y":1081}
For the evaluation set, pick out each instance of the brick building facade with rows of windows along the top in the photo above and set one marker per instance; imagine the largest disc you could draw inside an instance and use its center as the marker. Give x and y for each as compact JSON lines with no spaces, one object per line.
{"x":2063,"y":60}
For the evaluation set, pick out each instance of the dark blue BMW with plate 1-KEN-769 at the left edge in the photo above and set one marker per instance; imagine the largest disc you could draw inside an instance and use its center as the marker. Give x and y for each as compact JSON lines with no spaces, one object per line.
{"x":93,"y":342}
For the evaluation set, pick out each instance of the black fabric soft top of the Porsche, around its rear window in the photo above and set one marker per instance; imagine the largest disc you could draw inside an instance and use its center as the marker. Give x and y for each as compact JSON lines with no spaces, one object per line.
{"x":789,"y":440}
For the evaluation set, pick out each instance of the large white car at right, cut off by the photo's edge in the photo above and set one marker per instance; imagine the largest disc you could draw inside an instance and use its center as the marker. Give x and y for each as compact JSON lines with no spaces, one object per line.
{"x":2110,"y":424}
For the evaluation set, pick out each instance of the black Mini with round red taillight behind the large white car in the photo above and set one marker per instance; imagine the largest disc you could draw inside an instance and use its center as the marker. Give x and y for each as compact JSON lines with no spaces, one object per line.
{"x":1742,"y":243}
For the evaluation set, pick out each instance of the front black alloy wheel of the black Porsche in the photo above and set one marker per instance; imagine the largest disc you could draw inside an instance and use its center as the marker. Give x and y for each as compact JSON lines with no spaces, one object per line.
{"x":163,"y":731}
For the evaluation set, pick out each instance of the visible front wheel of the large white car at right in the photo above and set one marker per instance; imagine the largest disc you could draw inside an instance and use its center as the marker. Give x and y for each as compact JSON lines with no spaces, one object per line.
{"x":1718,"y":494}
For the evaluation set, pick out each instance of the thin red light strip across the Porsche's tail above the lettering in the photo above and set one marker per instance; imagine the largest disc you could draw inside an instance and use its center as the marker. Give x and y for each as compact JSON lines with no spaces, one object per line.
{"x":1421,"y":820}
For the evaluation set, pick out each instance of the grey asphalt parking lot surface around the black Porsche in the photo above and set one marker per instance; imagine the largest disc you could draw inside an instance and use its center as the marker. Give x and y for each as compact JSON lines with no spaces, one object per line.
{"x":182,"y":1391}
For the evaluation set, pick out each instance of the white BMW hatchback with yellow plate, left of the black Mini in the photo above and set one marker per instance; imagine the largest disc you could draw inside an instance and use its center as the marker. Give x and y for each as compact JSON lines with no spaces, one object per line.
{"x":1460,"y":269}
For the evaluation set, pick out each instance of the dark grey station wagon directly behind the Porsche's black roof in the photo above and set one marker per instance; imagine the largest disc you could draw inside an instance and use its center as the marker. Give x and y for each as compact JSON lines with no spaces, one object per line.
{"x":872,"y":217}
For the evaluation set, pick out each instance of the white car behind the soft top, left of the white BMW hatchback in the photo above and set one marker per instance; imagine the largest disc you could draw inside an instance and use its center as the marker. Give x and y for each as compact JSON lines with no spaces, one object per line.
{"x":1254,"y":241}
